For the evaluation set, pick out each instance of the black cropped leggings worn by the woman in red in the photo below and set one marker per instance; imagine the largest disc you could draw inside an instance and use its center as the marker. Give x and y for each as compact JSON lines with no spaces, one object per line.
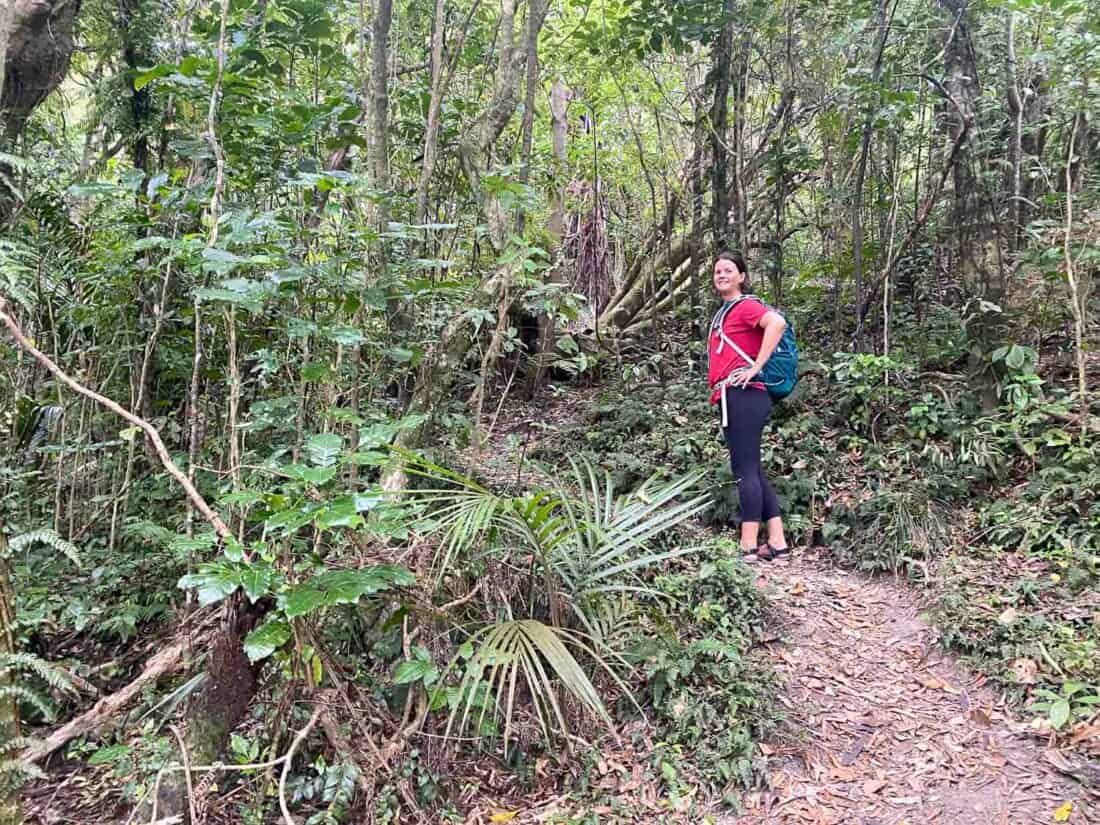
{"x":749,"y":410}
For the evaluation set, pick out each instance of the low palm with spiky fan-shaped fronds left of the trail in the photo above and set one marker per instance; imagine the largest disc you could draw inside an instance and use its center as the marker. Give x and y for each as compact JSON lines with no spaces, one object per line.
{"x":588,"y":547}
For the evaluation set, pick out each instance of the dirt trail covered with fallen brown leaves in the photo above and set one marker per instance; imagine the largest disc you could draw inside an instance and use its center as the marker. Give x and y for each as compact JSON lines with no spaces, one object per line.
{"x":888,"y":729}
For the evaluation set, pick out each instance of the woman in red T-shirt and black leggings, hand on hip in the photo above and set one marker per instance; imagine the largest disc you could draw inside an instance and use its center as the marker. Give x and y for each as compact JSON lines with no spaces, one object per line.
{"x":743,"y":337}
